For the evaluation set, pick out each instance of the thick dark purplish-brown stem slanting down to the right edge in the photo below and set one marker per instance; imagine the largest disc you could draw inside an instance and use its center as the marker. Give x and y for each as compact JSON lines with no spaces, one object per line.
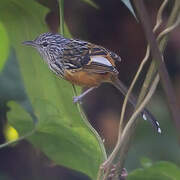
{"x":157,"y":56}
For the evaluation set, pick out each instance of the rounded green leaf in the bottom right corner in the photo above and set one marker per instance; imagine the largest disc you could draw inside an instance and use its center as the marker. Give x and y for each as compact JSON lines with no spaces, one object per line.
{"x":158,"y":171}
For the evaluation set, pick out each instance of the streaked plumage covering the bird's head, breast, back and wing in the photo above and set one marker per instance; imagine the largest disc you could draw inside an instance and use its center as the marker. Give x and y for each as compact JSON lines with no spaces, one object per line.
{"x":71,"y":54}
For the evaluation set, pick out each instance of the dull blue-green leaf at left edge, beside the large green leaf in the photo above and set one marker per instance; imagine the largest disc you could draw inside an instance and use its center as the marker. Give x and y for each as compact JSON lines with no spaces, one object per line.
{"x":12,"y":87}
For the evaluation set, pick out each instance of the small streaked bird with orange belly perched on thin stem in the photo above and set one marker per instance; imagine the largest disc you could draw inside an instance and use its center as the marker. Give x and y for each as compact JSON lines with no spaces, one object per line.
{"x":85,"y":64}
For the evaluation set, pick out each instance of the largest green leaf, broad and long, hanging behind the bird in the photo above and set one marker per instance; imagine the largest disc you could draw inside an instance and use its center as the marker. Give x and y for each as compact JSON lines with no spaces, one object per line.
{"x":60,"y":132}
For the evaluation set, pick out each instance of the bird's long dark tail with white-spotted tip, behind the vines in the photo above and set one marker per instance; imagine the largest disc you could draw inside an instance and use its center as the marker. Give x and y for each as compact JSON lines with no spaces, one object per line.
{"x":133,"y":100}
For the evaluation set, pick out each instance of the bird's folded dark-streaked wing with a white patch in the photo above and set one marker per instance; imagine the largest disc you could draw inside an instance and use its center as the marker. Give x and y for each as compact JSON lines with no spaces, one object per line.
{"x":80,"y":54}
